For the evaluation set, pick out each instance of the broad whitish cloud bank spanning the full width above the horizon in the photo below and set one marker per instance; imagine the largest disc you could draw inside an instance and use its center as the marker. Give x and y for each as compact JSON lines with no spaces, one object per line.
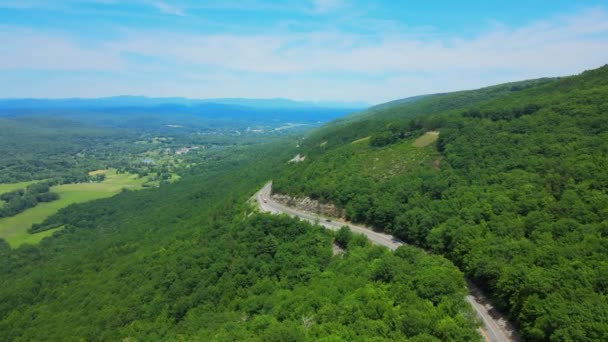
{"x":316,"y":65}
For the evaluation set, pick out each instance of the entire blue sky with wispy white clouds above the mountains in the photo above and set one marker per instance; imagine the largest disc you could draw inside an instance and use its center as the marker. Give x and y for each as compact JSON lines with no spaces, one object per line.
{"x":346,"y":50}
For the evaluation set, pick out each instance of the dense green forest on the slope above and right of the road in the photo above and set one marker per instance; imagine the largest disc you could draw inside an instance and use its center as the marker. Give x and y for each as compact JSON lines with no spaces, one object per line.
{"x":515,"y":192}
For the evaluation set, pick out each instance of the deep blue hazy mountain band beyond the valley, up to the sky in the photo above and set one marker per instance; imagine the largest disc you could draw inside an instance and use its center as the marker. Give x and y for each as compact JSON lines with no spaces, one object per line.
{"x":139,"y":112}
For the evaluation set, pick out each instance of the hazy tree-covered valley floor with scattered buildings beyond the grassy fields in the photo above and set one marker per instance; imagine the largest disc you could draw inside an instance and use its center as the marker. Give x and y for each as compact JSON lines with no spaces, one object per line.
{"x":65,"y":147}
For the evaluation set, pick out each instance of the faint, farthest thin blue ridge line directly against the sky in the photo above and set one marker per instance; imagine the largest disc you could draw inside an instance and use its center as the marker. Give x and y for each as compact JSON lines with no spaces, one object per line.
{"x":143,"y":101}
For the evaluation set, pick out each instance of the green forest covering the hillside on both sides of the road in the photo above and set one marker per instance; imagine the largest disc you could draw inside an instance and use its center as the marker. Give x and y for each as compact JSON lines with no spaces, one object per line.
{"x":514,"y":192}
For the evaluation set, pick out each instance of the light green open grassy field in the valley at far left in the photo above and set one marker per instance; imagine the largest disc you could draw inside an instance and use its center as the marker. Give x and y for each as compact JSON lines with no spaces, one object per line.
{"x":14,"y":229}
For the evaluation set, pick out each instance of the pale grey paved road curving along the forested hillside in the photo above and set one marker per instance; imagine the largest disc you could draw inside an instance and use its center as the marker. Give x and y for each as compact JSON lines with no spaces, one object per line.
{"x":496,"y":327}
